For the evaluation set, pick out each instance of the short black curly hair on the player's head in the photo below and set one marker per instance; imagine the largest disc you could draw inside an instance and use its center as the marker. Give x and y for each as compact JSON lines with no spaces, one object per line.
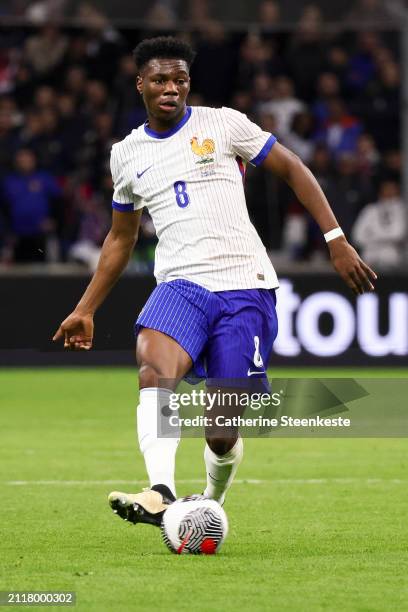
{"x":163,"y":47}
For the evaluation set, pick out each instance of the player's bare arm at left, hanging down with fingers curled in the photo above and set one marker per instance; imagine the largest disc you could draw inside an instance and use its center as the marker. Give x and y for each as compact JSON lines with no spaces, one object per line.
{"x":77,"y":328}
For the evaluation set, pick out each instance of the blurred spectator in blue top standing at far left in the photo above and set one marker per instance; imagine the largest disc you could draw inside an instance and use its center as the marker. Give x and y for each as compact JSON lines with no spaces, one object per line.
{"x":30,"y":196}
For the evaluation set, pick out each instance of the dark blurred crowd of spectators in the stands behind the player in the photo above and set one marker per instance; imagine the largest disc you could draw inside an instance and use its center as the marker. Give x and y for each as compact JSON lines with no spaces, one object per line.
{"x":331,"y":95}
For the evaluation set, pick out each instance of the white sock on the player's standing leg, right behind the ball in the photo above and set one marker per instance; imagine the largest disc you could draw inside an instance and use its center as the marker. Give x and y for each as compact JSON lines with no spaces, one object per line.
{"x":221,"y":470}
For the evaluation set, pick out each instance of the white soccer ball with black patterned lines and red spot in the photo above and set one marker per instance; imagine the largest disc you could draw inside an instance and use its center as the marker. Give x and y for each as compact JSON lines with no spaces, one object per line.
{"x":194,"y":525}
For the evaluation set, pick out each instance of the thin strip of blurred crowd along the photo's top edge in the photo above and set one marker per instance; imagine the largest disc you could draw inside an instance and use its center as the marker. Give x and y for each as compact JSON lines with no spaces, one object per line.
{"x":172,"y":13}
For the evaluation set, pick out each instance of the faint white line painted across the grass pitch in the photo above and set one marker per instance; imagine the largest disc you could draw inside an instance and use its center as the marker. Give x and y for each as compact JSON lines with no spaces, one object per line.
{"x":277,"y":481}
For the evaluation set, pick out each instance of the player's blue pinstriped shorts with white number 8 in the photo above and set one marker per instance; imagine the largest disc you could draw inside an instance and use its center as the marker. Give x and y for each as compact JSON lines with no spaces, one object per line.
{"x":228,"y":334}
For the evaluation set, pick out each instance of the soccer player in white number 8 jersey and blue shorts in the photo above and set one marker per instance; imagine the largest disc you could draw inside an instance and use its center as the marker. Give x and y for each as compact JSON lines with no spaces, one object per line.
{"x":215,"y":297}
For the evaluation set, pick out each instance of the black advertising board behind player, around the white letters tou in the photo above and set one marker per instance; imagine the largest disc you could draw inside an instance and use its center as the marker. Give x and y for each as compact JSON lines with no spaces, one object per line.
{"x":32,"y":308}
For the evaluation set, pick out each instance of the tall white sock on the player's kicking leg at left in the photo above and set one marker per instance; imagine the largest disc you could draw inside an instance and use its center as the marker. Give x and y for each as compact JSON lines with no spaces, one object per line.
{"x":159,"y":453}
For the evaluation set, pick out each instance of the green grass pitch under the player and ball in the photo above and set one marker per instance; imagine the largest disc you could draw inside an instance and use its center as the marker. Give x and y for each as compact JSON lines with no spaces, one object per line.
{"x":324,"y":527}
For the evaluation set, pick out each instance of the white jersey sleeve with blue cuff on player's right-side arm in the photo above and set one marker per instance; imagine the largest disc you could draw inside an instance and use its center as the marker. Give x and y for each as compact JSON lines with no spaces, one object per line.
{"x":248,"y":140}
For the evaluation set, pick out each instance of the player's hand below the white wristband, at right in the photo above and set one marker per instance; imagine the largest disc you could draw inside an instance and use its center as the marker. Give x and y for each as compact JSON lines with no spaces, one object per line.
{"x":346,"y":261}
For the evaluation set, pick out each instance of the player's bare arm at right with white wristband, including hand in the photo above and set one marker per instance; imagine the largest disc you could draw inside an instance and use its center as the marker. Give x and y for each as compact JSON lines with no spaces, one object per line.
{"x":345,"y":259}
